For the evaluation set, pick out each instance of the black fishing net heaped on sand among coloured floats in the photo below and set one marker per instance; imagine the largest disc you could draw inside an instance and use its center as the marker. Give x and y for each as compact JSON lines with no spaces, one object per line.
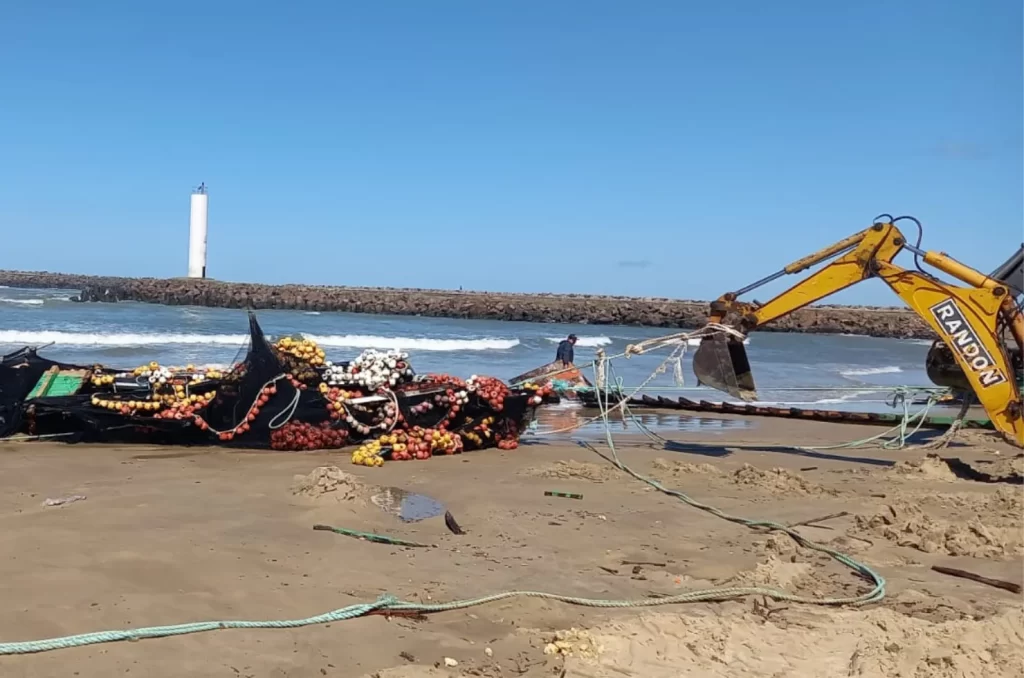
{"x":255,"y":401}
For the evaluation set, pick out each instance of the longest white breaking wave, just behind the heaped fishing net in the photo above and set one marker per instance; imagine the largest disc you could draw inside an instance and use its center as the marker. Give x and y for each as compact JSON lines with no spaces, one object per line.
{"x":23,"y":337}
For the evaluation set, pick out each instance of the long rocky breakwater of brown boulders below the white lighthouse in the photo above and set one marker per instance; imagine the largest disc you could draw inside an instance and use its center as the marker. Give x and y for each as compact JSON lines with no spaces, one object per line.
{"x":533,"y":308}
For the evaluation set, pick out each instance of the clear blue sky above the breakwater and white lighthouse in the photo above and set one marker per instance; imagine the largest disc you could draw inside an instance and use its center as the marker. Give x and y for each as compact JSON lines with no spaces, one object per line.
{"x":659,"y":148}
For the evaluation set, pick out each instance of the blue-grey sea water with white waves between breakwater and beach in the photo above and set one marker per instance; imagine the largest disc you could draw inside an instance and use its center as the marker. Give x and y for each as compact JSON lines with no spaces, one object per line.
{"x":838,"y":372}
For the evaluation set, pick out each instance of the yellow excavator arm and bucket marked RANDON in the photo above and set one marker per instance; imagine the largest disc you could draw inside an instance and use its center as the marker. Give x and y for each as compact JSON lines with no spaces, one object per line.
{"x":971,"y":321}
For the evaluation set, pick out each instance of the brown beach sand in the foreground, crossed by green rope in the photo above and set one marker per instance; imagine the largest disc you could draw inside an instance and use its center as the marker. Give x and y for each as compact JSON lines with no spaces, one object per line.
{"x":168,"y":536}
